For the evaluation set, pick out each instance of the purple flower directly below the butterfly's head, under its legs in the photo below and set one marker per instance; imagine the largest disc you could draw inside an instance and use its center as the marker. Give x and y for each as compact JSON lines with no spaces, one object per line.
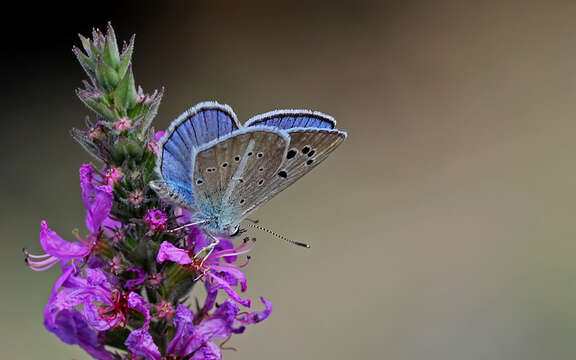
{"x":215,"y":268}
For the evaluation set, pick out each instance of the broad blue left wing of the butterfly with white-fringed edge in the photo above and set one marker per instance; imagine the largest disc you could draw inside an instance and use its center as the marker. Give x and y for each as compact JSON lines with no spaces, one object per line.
{"x":197,"y":126}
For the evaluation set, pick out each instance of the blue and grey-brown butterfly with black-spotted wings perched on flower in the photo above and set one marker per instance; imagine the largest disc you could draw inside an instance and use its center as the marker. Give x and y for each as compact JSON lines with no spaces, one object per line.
{"x":222,"y":171}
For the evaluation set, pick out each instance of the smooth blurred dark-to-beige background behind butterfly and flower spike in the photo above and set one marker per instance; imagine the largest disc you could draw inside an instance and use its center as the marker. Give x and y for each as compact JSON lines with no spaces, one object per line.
{"x":443,"y":228}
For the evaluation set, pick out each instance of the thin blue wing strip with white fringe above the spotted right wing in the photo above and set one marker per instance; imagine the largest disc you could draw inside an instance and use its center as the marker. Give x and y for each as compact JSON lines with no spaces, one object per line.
{"x":287,"y":119}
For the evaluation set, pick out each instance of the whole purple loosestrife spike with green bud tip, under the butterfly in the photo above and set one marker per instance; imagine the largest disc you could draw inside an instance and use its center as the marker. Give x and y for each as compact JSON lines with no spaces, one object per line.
{"x":123,"y":288}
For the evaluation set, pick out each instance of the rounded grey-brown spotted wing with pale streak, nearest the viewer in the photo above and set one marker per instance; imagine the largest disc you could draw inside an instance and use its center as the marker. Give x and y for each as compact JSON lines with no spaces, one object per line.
{"x":232,"y":174}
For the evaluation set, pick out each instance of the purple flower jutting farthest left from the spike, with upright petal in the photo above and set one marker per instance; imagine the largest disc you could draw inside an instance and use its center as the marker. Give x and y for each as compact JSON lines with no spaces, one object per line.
{"x":98,"y":202}
